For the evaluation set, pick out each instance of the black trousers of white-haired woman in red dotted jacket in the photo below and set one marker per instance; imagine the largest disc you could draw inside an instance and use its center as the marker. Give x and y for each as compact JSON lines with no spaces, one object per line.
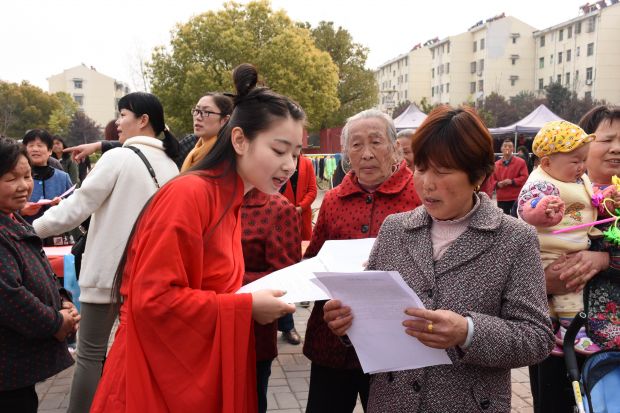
{"x":336,"y":390}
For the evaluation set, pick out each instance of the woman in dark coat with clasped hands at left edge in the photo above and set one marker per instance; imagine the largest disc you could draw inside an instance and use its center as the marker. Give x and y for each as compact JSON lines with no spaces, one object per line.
{"x":34,"y":319}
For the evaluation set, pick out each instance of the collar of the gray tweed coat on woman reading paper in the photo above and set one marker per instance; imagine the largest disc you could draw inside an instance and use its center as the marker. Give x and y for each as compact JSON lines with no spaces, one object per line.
{"x":487,"y":218}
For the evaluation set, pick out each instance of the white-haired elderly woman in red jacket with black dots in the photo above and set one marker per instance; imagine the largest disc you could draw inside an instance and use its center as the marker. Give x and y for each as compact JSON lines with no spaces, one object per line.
{"x":379,"y":184}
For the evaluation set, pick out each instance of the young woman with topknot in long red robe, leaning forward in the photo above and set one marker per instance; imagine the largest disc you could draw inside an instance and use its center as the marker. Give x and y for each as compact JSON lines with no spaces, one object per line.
{"x":185,"y":341}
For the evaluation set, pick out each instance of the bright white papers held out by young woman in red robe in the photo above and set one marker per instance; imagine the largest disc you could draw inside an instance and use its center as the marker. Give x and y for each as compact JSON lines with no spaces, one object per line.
{"x":340,"y":255}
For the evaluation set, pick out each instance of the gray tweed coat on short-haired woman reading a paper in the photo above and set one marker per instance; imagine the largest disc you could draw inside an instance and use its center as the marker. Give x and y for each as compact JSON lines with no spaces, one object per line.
{"x":492,"y":273}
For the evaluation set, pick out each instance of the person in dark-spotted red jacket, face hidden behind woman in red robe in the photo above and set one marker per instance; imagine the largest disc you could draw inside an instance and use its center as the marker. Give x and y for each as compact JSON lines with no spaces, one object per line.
{"x":270,"y":241}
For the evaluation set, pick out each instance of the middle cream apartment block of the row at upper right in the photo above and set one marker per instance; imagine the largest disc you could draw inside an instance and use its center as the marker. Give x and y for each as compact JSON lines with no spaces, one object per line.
{"x":495,"y":55}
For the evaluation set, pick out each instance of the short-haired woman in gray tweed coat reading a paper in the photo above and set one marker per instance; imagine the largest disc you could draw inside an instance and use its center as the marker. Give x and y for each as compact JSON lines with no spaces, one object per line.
{"x":477,"y":271}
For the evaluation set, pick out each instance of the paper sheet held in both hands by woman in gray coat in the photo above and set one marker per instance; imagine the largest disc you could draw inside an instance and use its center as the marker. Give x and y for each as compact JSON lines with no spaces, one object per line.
{"x":378,"y":300}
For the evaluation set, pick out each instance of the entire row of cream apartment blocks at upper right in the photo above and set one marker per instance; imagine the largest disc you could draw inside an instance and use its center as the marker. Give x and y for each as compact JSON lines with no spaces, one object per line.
{"x":506,"y":55}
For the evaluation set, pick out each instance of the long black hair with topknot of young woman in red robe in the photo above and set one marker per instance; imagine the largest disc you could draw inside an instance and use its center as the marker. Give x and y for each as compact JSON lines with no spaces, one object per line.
{"x":255,"y":110}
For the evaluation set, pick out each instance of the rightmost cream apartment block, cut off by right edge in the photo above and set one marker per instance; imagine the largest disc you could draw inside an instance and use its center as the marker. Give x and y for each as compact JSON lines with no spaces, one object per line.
{"x":582,"y":54}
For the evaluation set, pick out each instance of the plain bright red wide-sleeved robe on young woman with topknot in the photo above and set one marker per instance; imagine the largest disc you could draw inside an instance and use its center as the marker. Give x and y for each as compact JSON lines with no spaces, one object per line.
{"x":185,"y":342}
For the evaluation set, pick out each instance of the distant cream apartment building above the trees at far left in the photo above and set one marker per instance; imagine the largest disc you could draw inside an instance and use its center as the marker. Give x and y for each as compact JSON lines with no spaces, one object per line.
{"x":95,"y":93}
